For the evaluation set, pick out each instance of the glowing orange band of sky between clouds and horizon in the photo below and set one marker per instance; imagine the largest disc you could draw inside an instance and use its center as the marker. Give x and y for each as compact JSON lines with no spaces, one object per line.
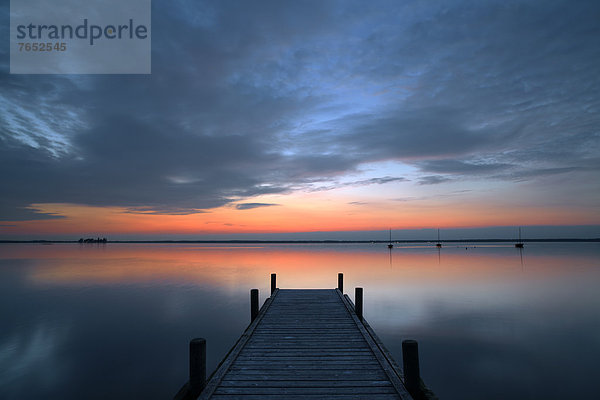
{"x":305,"y":213}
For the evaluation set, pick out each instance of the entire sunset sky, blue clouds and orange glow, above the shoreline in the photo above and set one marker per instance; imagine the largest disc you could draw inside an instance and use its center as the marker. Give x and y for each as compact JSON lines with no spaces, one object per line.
{"x":269,"y":117}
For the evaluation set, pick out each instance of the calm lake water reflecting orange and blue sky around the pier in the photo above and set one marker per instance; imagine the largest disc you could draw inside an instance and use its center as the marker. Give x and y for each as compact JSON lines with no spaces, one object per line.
{"x":113,"y":321}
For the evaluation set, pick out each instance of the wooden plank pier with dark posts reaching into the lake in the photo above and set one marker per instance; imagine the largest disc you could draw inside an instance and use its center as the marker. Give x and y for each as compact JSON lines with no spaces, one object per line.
{"x":306,"y":344}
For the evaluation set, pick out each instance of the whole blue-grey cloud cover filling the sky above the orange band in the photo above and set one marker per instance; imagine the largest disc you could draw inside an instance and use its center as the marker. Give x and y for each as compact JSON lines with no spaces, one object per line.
{"x":271,"y":97}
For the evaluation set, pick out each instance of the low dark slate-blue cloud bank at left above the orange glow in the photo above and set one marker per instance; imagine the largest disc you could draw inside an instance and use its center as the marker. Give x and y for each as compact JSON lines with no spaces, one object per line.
{"x":126,"y":162}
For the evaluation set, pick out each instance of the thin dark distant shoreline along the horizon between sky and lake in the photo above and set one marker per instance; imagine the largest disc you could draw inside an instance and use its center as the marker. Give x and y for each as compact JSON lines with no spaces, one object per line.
{"x":304,"y":241}
